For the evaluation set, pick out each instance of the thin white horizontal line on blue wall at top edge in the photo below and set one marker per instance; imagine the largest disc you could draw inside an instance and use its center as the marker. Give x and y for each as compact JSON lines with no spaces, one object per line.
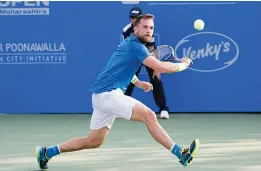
{"x":192,"y":3}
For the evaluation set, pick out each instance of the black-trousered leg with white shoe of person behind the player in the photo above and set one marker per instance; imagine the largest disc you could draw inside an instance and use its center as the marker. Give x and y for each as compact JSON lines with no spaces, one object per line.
{"x":158,"y":94}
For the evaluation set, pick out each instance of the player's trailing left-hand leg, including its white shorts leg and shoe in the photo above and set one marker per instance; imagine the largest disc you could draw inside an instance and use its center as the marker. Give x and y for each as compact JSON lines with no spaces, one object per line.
{"x":101,"y":123}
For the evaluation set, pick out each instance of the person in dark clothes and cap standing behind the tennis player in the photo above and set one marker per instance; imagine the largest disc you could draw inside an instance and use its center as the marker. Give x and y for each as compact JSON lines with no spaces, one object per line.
{"x":158,"y":91}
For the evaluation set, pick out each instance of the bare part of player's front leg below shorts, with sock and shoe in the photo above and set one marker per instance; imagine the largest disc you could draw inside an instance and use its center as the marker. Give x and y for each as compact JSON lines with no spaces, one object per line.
{"x":143,"y":114}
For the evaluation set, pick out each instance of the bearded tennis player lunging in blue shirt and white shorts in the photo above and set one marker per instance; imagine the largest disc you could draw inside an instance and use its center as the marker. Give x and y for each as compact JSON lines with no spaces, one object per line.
{"x":109,"y":101}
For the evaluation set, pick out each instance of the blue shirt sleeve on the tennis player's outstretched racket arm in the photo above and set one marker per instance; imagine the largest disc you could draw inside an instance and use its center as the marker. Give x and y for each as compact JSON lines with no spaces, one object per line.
{"x":140,"y":51}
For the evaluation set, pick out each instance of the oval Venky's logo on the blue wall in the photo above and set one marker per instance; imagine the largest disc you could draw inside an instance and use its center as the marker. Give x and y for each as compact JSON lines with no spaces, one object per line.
{"x":210,"y":51}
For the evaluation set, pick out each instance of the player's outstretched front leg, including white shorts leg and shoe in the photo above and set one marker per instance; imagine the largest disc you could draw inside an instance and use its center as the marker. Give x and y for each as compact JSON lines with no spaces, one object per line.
{"x":131,"y":109}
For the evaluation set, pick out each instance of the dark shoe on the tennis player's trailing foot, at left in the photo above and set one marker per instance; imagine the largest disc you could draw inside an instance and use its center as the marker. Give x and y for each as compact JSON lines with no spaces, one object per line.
{"x":42,"y":159}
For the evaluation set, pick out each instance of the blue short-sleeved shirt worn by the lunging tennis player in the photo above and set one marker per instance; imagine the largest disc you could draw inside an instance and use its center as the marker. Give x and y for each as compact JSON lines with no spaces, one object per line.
{"x":122,"y":66}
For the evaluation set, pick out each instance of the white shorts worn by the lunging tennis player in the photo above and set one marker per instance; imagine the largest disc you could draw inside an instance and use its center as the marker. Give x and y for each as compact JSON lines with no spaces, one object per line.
{"x":108,"y":106}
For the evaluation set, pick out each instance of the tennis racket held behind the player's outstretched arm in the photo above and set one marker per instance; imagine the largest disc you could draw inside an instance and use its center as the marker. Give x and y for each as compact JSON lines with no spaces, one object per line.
{"x":166,"y":53}
